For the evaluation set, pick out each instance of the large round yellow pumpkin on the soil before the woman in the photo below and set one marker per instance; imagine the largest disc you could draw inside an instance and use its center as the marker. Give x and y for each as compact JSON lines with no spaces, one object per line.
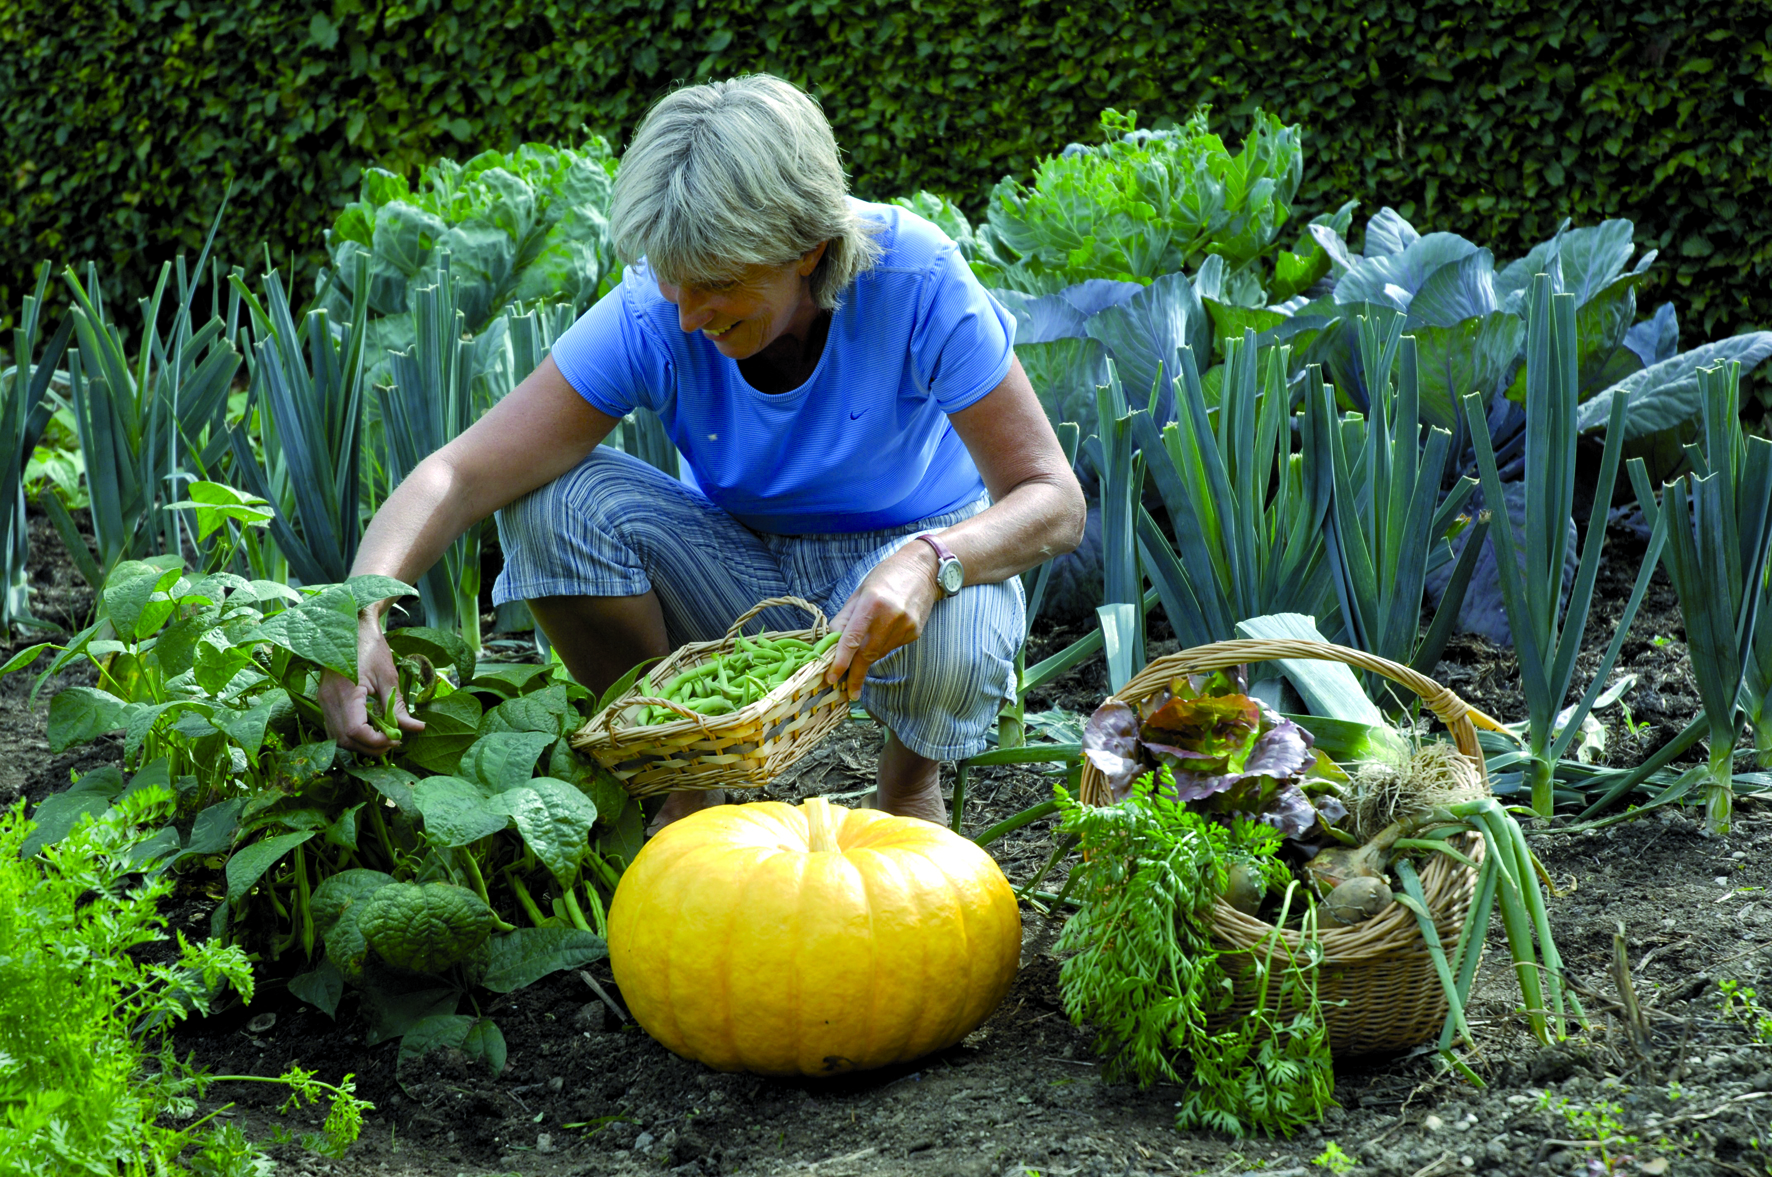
{"x":811,"y":940}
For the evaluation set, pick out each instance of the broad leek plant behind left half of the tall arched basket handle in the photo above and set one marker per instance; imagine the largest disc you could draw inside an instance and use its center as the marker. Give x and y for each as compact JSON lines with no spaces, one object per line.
{"x":1248,"y":531}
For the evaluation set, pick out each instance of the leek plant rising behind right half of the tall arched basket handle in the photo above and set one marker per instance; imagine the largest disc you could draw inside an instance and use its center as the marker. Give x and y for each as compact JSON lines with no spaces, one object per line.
{"x":1387,"y":524}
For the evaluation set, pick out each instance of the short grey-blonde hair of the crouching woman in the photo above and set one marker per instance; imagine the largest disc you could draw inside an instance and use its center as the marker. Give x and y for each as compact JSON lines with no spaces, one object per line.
{"x":733,"y":175}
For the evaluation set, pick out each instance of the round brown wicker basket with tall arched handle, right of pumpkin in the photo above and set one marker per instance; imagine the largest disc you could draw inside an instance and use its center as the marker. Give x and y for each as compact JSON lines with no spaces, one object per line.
{"x":1376,"y":981}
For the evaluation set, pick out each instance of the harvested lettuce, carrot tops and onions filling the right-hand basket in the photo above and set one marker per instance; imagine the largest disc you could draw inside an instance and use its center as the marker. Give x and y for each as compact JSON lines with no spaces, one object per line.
{"x":1220,"y":800}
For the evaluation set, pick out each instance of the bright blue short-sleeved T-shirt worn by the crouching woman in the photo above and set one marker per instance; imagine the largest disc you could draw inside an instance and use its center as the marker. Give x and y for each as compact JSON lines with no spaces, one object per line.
{"x":866,"y":442}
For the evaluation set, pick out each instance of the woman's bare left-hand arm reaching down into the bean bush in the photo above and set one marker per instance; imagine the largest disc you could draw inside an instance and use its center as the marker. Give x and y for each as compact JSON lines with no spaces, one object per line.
{"x":540,"y":432}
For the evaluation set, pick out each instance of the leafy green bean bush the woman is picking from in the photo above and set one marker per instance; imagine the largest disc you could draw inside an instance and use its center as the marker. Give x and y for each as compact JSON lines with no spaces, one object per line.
{"x":378,"y":873}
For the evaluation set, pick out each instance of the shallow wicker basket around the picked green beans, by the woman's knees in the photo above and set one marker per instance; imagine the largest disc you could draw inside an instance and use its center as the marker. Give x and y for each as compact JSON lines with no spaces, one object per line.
{"x":740,"y":751}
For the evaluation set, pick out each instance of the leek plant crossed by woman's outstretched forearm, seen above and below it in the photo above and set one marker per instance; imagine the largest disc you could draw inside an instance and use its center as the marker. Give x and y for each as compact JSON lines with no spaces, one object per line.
{"x":437,"y":393}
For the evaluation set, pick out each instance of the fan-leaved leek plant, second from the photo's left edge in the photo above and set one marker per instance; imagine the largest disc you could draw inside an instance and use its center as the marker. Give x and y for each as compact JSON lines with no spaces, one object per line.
{"x":150,"y":426}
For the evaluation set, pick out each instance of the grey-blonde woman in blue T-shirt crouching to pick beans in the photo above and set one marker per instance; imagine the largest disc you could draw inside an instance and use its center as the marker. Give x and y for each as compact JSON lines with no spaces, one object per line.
{"x":848,"y":403}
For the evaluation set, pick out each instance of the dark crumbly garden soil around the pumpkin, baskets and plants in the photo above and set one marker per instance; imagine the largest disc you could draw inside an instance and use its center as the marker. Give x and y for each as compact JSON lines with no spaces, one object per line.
{"x":586,"y":1093}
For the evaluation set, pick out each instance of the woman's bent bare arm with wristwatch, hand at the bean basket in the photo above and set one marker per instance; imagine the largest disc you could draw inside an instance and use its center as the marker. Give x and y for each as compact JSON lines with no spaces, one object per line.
{"x":1036,"y":513}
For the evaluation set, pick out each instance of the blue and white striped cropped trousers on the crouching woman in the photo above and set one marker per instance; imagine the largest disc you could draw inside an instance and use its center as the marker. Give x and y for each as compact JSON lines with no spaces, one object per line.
{"x":616,"y":527}
